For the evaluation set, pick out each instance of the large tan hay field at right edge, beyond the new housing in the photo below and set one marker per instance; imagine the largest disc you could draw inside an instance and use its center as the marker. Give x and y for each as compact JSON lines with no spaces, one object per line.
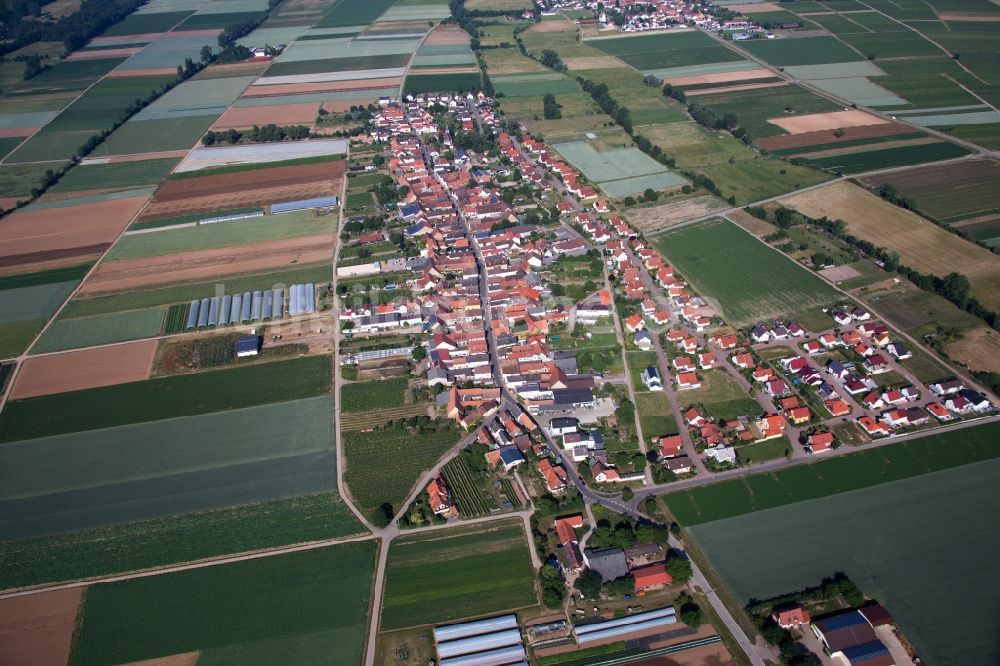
{"x":921,"y":244}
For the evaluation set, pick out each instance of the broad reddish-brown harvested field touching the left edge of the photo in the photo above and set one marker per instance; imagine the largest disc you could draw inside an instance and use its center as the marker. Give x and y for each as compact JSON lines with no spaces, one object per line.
{"x":40,"y":236}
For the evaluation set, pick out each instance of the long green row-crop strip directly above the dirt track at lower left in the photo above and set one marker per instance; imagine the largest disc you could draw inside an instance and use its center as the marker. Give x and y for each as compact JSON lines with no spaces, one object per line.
{"x":182,"y":538}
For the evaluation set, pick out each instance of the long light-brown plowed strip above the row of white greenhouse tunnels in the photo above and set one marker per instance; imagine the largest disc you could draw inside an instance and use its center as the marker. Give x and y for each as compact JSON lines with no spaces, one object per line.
{"x":200,"y":265}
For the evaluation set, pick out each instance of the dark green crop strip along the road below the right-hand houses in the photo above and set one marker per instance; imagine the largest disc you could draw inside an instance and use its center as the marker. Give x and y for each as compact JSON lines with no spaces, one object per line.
{"x":865,"y":468}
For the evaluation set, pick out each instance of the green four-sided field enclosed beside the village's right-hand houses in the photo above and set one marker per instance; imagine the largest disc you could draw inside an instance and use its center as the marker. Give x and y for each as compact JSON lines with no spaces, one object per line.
{"x":743,"y":278}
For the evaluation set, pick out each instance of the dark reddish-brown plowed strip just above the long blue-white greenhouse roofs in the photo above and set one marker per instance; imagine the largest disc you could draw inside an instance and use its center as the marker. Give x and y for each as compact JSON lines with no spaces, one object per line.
{"x":245,"y":188}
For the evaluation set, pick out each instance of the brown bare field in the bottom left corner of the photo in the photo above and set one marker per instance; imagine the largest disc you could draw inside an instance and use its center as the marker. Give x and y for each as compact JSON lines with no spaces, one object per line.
{"x":38,"y":628}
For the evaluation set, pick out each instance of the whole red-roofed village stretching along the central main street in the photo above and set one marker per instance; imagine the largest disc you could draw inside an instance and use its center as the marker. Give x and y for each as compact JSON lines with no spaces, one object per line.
{"x":576,"y":359}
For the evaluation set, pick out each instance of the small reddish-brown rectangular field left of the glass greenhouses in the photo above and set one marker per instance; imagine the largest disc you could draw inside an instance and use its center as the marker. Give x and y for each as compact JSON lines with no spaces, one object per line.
{"x":84,"y":369}
